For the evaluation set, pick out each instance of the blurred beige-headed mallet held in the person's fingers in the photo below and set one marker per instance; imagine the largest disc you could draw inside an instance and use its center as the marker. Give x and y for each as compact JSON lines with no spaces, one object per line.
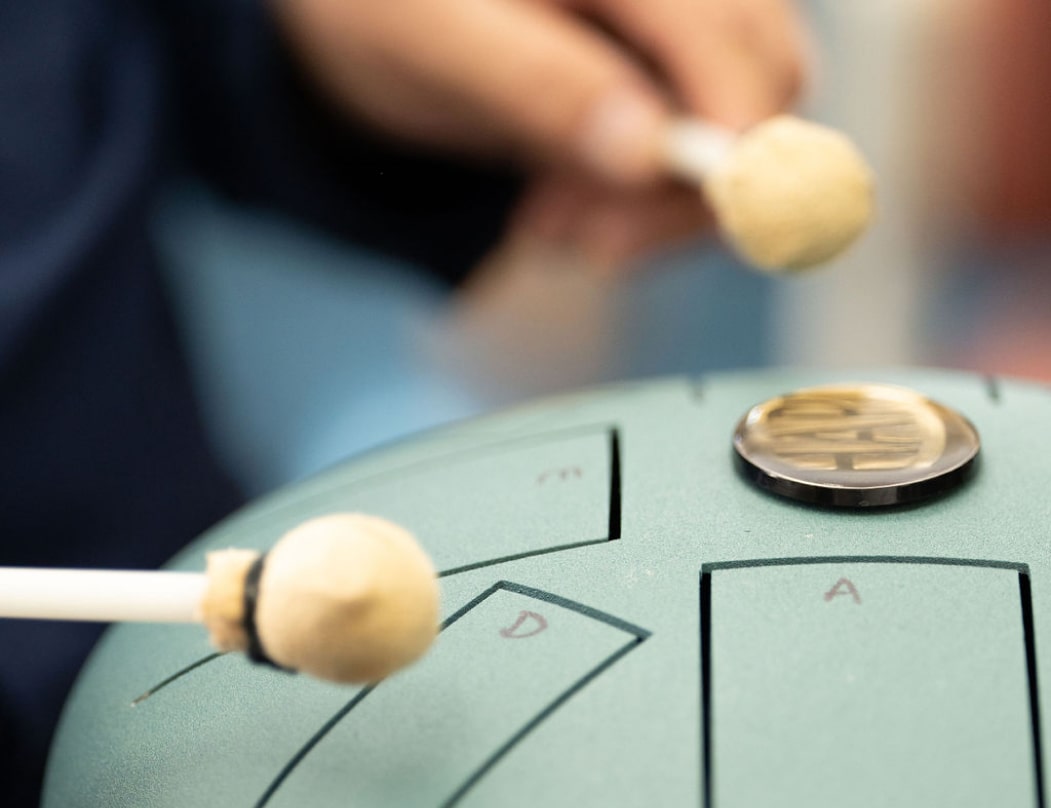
{"x":788,"y":194}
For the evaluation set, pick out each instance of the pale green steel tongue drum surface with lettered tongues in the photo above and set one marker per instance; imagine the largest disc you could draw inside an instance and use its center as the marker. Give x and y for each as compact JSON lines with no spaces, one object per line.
{"x":628,"y":621}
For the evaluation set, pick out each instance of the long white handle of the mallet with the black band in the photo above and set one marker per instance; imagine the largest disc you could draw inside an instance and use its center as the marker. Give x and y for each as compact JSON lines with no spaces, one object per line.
{"x":101,"y":595}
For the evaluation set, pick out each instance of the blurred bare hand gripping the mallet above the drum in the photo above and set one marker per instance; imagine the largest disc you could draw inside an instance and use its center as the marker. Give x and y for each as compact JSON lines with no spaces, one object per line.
{"x":578,"y":91}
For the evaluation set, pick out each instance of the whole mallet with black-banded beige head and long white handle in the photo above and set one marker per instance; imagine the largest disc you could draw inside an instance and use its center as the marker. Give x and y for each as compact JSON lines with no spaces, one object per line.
{"x":345,"y":597}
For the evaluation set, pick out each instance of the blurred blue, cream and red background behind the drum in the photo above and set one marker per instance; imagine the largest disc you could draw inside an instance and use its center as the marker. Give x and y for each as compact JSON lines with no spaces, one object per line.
{"x":307,"y":350}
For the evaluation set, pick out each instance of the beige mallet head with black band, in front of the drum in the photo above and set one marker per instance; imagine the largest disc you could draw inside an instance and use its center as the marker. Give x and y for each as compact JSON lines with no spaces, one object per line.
{"x":345,"y":597}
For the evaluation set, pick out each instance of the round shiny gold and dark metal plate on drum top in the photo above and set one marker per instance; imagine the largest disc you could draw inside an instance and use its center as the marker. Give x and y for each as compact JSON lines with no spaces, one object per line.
{"x":856,"y":446}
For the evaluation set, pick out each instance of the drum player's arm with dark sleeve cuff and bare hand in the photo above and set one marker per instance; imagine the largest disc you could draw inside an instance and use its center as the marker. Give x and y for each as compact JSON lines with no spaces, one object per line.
{"x":574,"y":94}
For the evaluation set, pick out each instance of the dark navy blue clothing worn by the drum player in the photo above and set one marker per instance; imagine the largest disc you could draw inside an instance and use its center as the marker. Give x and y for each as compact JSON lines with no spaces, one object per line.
{"x":102,"y":457}
